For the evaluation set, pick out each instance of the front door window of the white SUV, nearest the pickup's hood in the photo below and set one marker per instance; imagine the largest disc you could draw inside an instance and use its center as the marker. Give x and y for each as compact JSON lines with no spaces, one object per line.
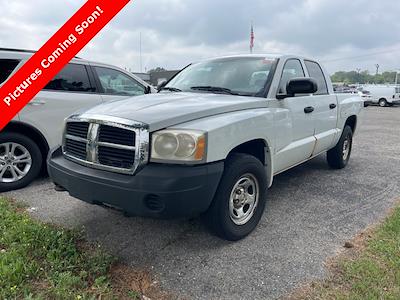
{"x":114,"y":84}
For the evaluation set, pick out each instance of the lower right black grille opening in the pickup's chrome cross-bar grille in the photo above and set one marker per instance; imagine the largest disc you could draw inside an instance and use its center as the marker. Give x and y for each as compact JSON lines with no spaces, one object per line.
{"x":118,"y":158}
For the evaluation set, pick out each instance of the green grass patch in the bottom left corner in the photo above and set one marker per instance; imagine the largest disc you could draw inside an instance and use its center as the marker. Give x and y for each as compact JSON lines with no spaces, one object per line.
{"x":40,"y":261}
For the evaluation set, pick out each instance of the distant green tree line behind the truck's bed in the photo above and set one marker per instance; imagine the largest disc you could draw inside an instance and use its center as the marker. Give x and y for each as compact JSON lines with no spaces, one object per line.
{"x":364,"y":77}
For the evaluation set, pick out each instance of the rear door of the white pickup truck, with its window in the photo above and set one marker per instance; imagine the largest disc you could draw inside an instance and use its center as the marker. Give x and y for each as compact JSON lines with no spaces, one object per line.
{"x":325,"y":109}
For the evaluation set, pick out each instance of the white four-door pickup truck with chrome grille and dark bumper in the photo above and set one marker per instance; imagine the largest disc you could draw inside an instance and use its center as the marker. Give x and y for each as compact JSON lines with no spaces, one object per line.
{"x":209,"y":143}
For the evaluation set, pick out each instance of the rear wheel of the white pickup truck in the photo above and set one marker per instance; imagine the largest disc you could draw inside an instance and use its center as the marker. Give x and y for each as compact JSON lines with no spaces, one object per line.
{"x":339,"y":156}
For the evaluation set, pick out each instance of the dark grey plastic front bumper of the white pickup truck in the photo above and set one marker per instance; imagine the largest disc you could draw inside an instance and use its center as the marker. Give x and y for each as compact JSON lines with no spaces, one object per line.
{"x":157,"y":191}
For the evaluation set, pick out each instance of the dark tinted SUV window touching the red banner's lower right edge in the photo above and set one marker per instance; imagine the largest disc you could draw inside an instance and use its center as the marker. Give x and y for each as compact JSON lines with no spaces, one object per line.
{"x":73,"y":78}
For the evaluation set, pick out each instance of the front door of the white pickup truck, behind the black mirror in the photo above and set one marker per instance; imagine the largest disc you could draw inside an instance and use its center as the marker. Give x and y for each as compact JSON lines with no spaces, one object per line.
{"x":295,"y":143}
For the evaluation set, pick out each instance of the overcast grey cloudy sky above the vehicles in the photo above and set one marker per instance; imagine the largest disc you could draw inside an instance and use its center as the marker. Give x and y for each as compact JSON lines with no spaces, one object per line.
{"x":344,"y":34}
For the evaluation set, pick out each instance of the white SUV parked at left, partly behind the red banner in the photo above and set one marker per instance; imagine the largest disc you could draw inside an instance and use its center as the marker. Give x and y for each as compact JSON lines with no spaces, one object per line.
{"x":26,"y":140}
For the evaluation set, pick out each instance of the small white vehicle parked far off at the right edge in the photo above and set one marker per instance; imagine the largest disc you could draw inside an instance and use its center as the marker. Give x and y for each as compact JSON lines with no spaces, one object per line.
{"x":383,"y":95}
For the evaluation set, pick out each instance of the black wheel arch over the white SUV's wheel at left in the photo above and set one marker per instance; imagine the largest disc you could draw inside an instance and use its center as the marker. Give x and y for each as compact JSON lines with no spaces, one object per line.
{"x":32,"y":133}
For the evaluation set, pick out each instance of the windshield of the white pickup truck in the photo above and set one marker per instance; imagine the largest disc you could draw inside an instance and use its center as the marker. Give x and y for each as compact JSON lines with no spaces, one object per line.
{"x":239,"y":75}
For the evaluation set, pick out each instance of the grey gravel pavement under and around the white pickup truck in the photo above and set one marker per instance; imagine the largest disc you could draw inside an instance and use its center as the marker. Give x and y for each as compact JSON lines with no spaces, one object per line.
{"x":311,"y":212}
